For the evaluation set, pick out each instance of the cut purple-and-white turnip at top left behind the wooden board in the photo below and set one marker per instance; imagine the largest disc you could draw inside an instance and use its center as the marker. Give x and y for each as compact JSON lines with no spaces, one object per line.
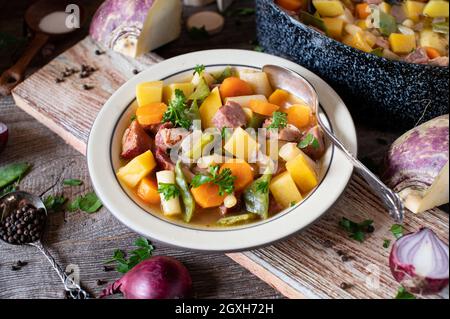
{"x":134,"y":27}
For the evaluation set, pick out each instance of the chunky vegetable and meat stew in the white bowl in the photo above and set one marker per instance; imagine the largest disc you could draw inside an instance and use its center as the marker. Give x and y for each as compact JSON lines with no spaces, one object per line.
{"x":220,"y":149}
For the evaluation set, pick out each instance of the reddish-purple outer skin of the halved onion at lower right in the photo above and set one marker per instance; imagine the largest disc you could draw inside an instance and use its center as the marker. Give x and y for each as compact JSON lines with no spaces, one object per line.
{"x":406,"y":275}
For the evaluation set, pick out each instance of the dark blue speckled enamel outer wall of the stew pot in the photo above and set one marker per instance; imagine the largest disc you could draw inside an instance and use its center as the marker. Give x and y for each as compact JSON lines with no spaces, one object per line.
{"x":391,"y":92}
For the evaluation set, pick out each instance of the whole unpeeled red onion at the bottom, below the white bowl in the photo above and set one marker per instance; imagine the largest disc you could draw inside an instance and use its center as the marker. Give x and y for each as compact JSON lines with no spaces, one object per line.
{"x":154,"y":278}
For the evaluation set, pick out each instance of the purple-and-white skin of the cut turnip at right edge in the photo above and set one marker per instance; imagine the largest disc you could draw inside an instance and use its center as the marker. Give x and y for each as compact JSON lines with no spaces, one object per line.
{"x":415,"y":160}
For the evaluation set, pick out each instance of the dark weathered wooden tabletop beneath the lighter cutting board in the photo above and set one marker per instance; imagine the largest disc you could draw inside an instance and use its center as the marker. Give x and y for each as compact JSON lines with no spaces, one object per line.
{"x":87,"y":240}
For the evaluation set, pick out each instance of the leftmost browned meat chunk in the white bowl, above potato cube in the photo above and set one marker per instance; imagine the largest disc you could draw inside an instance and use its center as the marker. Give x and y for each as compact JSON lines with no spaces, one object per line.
{"x":135,"y":141}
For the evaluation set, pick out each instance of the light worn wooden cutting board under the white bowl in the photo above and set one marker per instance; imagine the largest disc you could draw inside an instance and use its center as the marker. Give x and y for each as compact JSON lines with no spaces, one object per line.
{"x":307,"y":265}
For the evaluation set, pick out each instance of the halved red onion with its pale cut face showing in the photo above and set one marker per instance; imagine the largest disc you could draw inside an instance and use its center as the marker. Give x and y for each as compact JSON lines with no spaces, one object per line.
{"x":419,"y":261}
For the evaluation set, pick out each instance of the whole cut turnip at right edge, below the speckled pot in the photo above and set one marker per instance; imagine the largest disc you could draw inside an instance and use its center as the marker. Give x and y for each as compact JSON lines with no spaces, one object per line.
{"x":417,"y":165}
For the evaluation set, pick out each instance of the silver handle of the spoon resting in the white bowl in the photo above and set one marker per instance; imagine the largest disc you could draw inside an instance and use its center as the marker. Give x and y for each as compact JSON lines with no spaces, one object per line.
{"x":389,"y":197}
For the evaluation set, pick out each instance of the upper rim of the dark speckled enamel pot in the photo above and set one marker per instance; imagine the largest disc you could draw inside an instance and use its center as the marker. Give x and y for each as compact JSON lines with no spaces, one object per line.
{"x":367,"y":55}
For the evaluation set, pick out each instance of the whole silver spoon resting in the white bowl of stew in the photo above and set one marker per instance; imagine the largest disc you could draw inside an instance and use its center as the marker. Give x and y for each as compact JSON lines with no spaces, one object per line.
{"x":291,"y":81}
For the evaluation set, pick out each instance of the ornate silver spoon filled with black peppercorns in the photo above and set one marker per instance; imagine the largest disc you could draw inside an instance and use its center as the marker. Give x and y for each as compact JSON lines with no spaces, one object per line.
{"x":8,"y":204}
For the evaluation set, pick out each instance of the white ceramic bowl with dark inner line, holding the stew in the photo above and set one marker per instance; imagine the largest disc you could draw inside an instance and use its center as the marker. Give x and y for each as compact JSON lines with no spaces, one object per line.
{"x":104,"y":149}
